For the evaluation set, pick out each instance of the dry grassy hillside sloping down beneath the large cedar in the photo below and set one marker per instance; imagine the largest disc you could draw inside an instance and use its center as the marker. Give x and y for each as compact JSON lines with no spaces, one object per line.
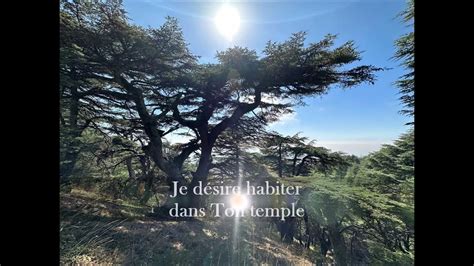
{"x":95,"y":229}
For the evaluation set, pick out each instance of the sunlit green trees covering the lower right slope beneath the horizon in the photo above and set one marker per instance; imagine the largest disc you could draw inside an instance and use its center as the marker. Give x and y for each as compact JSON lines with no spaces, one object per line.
{"x":368,"y":214}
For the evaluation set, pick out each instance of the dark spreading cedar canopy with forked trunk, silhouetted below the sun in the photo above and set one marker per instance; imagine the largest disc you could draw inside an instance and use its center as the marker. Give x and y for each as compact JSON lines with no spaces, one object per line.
{"x":146,"y":84}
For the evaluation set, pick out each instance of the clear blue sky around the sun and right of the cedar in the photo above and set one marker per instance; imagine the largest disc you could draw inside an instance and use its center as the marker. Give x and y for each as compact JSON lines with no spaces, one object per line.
{"x":356,"y":120}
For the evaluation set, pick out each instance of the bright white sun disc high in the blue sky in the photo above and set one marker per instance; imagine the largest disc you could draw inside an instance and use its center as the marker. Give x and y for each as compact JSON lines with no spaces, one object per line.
{"x":227,"y":21}
